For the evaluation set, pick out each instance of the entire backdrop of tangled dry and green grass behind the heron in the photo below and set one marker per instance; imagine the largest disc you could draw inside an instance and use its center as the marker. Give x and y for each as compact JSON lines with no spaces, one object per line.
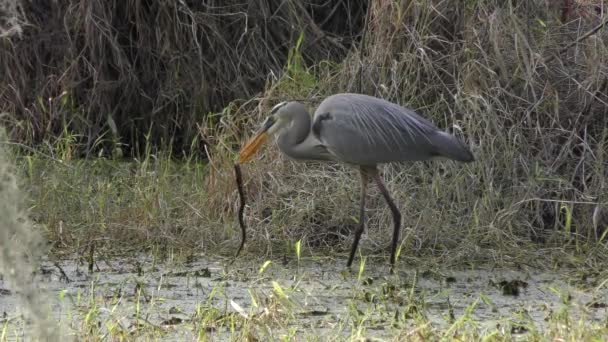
{"x":524,"y":83}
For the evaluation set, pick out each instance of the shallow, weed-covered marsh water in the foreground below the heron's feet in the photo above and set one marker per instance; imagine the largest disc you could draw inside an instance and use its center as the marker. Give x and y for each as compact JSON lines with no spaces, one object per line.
{"x":314,"y":296}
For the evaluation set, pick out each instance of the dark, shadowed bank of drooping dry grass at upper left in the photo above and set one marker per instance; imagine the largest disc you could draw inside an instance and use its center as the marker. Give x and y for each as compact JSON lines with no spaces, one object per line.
{"x":111,"y":72}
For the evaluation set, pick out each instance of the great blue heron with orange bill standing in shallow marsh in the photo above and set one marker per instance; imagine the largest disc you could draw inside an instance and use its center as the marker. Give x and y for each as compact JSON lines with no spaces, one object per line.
{"x":359,"y":130}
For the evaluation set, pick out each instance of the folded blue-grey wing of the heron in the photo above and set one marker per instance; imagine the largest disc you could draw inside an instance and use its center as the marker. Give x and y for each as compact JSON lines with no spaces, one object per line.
{"x":366,"y":130}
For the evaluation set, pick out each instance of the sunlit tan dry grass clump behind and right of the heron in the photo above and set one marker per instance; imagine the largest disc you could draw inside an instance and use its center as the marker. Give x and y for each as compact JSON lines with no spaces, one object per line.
{"x":531,"y":104}
